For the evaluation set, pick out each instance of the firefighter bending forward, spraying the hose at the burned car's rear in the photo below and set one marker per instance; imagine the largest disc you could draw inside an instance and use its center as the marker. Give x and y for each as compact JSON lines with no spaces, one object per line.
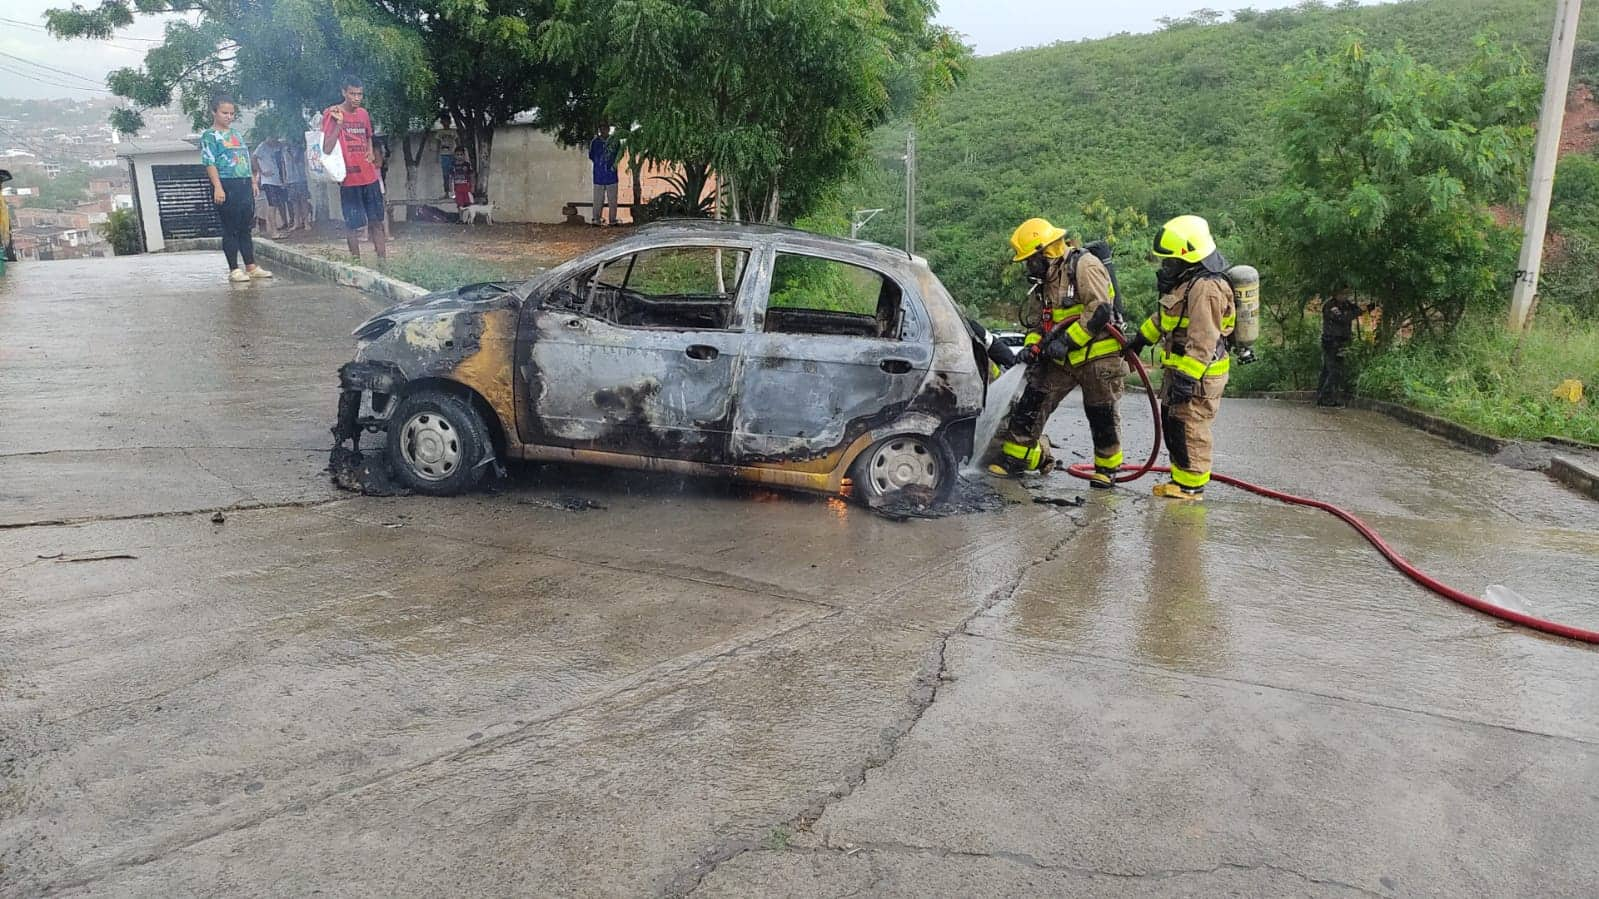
{"x":1071,"y":303}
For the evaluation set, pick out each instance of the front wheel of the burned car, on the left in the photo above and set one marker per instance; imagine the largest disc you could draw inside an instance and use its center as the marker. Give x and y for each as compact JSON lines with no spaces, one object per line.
{"x":437,"y":444}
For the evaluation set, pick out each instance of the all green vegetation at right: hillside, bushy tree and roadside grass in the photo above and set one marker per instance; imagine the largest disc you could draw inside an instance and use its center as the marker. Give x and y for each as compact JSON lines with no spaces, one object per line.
{"x":1373,"y":148}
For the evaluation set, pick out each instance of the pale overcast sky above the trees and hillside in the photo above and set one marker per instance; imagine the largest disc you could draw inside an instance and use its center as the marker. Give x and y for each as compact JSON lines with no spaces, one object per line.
{"x":994,"y":26}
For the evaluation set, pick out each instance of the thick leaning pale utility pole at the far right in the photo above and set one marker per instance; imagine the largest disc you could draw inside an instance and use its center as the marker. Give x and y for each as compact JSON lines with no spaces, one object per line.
{"x":1552,"y":118}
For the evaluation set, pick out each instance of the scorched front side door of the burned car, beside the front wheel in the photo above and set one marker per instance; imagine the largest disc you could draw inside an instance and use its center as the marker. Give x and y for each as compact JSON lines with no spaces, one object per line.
{"x":639,"y":353}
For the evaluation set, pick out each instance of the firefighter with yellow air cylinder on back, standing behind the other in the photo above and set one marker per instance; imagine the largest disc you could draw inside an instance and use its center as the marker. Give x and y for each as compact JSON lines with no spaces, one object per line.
{"x":1192,"y":326}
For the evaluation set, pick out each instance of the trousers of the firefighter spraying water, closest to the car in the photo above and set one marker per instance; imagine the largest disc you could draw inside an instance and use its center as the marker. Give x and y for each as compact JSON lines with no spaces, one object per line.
{"x":1019,"y":444}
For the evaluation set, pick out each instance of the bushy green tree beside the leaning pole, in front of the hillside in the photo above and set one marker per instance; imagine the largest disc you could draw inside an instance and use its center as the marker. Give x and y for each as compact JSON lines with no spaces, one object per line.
{"x":1392,"y":169}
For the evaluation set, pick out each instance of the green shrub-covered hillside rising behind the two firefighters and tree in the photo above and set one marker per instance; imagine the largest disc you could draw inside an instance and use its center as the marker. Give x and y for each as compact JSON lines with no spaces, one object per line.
{"x":1162,"y":124}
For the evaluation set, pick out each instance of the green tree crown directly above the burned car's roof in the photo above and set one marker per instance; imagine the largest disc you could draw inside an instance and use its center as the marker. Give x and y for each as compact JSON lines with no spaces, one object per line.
{"x":778,"y":97}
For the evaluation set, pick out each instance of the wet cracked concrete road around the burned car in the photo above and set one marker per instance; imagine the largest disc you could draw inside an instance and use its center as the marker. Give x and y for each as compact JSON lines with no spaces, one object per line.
{"x":740,"y":693}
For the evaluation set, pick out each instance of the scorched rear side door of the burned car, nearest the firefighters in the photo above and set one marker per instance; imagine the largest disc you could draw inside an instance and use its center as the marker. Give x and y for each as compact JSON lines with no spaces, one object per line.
{"x":837,"y":348}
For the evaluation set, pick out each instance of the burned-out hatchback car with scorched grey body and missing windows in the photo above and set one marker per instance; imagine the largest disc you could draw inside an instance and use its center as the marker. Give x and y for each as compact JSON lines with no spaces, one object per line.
{"x":741,"y":351}
